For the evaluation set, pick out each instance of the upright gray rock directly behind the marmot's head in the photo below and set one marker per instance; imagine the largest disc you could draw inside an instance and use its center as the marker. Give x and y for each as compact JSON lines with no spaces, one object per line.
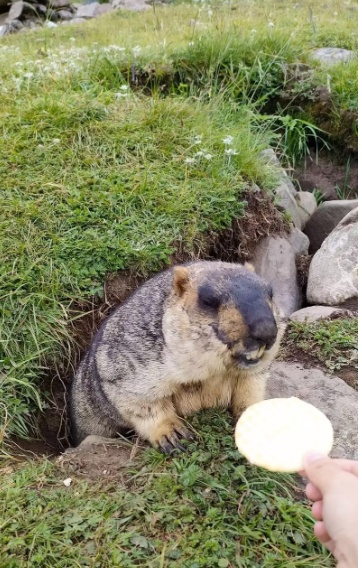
{"x":274,"y":260}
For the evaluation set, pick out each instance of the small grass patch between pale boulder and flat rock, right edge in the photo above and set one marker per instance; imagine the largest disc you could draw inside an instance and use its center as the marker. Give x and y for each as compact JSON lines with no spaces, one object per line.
{"x":333,"y":343}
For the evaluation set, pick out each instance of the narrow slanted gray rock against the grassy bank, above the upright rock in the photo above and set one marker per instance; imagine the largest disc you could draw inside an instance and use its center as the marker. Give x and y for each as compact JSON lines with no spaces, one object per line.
{"x":284,"y":189}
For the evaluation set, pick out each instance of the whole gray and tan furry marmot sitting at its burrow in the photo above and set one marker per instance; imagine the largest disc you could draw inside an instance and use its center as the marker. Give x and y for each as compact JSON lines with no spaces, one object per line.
{"x":199,"y":335}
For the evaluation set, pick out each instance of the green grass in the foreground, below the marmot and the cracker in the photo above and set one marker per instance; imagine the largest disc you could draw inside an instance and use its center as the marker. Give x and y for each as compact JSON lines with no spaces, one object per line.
{"x":204,"y":508}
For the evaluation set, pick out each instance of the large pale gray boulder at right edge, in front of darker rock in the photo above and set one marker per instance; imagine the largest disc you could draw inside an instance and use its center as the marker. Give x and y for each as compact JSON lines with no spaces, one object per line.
{"x":333,"y":270}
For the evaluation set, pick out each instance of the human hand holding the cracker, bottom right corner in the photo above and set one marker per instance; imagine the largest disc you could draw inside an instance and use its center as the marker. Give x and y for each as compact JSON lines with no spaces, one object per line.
{"x":333,"y":486}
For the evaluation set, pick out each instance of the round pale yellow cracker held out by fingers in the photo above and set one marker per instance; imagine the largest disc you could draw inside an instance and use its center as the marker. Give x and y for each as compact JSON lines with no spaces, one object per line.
{"x":277,"y":433}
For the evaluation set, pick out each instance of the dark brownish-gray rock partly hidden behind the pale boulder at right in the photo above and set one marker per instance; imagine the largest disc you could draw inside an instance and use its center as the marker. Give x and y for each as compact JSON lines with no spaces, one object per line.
{"x":325,"y":219}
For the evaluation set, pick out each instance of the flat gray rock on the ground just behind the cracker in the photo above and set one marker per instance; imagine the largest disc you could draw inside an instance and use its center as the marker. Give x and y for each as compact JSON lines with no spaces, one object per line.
{"x":330,"y":394}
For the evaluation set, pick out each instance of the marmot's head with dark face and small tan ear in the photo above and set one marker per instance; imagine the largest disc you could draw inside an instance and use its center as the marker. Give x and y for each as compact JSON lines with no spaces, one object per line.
{"x":231,"y":308}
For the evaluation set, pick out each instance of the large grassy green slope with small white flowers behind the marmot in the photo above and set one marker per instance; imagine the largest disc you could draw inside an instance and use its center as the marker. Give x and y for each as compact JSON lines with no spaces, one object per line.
{"x":98,"y":176}
